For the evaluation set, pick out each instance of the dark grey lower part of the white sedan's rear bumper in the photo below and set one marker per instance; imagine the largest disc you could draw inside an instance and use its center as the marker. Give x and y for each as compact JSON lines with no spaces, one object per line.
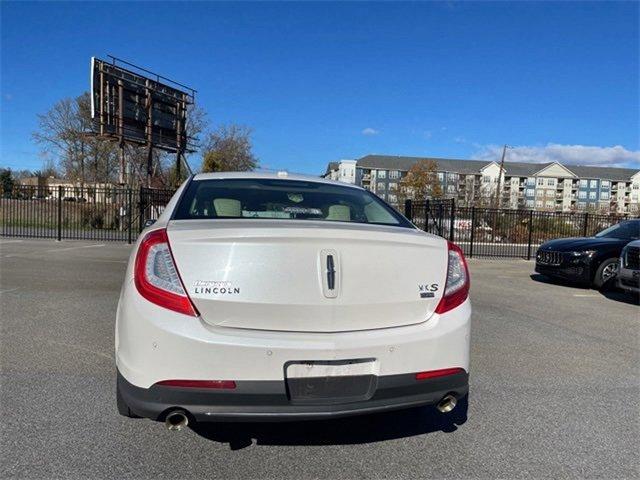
{"x":270,"y":400}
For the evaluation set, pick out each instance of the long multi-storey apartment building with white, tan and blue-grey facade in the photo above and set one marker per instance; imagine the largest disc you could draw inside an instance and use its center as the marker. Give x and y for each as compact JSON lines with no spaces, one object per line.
{"x":549,"y":186}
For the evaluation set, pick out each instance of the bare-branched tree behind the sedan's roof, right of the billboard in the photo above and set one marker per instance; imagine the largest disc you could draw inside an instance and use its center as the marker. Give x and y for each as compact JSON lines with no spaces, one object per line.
{"x":228,"y":148}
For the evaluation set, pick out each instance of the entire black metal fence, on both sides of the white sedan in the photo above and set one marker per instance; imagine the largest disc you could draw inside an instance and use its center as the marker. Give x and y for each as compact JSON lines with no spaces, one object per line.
{"x":118,"y":214}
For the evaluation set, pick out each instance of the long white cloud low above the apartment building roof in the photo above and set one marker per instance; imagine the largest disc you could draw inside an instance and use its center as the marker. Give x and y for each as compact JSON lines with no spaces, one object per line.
{"x":616,"y":156}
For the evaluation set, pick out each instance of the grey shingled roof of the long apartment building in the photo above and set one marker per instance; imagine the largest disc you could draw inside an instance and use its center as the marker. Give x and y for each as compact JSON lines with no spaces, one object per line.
{"x":523,"y":169}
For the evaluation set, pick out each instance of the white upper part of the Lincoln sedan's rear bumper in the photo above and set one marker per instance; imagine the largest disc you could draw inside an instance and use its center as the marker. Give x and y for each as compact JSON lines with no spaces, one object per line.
{"x":154,"y":344}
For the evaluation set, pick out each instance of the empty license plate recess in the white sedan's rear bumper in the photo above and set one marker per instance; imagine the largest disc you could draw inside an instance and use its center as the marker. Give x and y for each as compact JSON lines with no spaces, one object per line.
{"x":331,"y":382}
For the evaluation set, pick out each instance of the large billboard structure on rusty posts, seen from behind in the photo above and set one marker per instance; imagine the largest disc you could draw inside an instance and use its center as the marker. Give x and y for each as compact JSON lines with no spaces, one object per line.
{"x":132,"y":105}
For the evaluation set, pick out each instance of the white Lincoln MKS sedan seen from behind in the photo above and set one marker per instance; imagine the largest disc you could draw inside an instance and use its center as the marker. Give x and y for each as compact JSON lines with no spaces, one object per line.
{"x":283,"y":297}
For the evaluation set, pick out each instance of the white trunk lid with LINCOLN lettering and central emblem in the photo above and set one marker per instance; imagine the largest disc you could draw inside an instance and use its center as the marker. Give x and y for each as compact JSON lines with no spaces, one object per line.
{"x":308,"y":276}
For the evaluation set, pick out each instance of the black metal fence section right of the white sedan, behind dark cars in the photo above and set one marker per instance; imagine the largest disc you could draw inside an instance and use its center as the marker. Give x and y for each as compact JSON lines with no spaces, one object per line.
{"x":491,"y":232}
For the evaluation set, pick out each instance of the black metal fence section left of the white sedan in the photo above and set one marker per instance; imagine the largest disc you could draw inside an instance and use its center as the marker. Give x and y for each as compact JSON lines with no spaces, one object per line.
{"x":87,"y":213}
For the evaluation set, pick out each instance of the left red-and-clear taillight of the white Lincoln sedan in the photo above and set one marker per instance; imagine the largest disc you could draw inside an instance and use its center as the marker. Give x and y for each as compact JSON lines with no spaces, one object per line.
{"x":156,"y":276}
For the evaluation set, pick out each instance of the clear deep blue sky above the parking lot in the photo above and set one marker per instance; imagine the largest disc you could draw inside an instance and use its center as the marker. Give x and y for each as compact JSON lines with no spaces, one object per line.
{"x":323,"y":81}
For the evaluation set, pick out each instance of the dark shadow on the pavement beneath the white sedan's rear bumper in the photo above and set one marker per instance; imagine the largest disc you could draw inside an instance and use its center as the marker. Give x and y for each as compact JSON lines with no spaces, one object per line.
{"x":345,"y":431}
